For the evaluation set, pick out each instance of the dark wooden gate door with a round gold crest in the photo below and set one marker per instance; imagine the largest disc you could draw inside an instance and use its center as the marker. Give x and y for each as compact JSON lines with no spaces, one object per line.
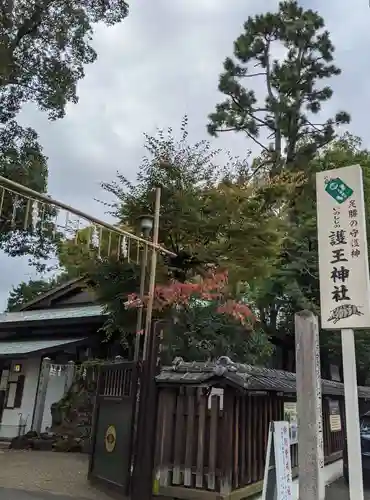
{"x":111,"y":459}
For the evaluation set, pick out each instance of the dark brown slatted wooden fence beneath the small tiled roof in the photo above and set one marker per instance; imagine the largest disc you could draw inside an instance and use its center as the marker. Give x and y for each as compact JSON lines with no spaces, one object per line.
{"x":216,"y":444}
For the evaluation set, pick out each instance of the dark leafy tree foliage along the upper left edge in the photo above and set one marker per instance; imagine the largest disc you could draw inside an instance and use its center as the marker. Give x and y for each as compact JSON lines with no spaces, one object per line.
{"x":44,"y":47}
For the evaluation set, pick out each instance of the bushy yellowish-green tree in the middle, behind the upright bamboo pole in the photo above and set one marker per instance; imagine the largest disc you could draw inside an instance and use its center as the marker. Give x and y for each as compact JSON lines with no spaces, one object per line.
{"x":210,"y":214}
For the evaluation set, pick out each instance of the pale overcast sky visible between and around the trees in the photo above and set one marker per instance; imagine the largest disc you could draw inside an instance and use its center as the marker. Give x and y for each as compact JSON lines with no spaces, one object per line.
{"x":161,"y":62}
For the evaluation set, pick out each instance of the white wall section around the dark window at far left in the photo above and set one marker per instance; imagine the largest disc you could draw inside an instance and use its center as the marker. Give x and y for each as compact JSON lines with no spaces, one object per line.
{"x":10,"y":420}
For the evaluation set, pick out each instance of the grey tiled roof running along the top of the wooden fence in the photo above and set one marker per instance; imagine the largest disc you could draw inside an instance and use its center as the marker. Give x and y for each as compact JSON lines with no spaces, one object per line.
{"x":250,"y":378}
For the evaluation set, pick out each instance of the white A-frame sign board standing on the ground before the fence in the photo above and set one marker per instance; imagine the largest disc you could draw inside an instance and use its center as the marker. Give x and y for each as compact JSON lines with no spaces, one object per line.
{"x":278,"y":483}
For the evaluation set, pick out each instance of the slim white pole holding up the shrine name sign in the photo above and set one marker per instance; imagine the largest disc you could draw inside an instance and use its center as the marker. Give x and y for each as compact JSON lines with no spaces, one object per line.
{"x":356,"y":488}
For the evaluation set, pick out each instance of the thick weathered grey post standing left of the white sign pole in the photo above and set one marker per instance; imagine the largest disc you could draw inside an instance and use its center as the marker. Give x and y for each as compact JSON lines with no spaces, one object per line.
{"x":309,"y":412}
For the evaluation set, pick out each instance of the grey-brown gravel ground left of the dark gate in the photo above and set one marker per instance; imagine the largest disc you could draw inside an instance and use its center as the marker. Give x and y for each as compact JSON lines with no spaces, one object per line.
{"x":43,"y":472}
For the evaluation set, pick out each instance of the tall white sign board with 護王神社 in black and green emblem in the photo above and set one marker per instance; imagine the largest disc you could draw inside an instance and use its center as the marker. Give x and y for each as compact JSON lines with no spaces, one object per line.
{"x":343,"y":257}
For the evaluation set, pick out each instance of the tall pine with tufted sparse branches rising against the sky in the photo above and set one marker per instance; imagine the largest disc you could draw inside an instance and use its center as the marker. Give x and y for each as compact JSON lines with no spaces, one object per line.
{"x":286,"y":112}
